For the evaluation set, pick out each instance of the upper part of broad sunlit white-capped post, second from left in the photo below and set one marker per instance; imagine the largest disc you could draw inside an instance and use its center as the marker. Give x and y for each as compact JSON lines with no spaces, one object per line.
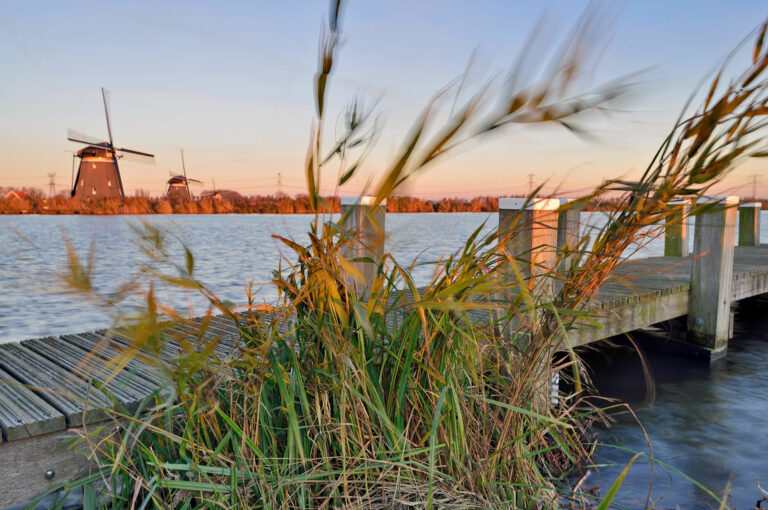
{"x":529,"y":230}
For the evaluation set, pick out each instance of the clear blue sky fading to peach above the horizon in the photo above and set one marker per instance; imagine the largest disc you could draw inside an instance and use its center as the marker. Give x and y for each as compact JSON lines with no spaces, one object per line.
{"x":232,"y":84}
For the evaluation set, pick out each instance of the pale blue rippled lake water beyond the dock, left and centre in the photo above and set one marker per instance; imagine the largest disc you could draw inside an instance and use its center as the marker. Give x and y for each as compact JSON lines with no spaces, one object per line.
{"x":229,"y":251}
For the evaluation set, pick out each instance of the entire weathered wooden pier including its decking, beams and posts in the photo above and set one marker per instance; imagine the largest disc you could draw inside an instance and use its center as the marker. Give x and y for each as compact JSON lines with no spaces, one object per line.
{"x":44,"y":383}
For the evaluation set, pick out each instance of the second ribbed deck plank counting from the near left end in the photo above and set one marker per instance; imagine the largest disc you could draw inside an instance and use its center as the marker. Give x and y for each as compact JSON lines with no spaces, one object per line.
{"x":55,"y":385}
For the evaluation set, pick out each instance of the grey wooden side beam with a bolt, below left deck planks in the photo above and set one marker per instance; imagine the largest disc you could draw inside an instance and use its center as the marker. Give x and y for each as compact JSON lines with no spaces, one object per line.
{"x":24,"y":463}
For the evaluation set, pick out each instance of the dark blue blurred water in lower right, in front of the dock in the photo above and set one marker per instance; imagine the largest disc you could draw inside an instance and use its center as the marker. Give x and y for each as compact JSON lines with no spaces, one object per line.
{"x":711,"y":423}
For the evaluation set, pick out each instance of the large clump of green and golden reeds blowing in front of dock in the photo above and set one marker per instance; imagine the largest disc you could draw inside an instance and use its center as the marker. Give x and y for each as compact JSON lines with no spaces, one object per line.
{"x":352,"y":393}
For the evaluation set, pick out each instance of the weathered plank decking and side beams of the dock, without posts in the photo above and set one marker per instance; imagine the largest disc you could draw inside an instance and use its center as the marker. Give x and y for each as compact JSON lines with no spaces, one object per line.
{"x":45,"y":382}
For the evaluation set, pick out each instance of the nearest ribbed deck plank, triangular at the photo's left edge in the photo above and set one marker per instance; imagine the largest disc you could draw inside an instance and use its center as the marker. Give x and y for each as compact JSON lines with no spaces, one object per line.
{"x":24,"y":414}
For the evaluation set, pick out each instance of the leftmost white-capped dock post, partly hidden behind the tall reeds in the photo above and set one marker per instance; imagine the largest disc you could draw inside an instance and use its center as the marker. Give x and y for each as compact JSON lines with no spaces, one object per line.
{"x":366,"y":222}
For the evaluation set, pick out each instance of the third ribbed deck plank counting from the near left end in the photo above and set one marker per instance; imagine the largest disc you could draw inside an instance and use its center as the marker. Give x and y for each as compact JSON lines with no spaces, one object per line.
{"x":128,"y":388}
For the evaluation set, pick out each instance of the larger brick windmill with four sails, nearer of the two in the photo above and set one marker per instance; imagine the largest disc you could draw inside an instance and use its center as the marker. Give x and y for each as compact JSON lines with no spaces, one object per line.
{"x":98,"y":175}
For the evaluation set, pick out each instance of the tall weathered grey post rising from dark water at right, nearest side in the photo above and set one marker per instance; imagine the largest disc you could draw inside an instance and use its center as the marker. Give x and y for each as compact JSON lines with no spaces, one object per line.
{"x":709,"y":301}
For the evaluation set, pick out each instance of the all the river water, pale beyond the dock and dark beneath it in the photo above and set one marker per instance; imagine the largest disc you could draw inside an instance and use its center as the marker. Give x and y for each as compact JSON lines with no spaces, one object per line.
{"x":709,"y":422}
